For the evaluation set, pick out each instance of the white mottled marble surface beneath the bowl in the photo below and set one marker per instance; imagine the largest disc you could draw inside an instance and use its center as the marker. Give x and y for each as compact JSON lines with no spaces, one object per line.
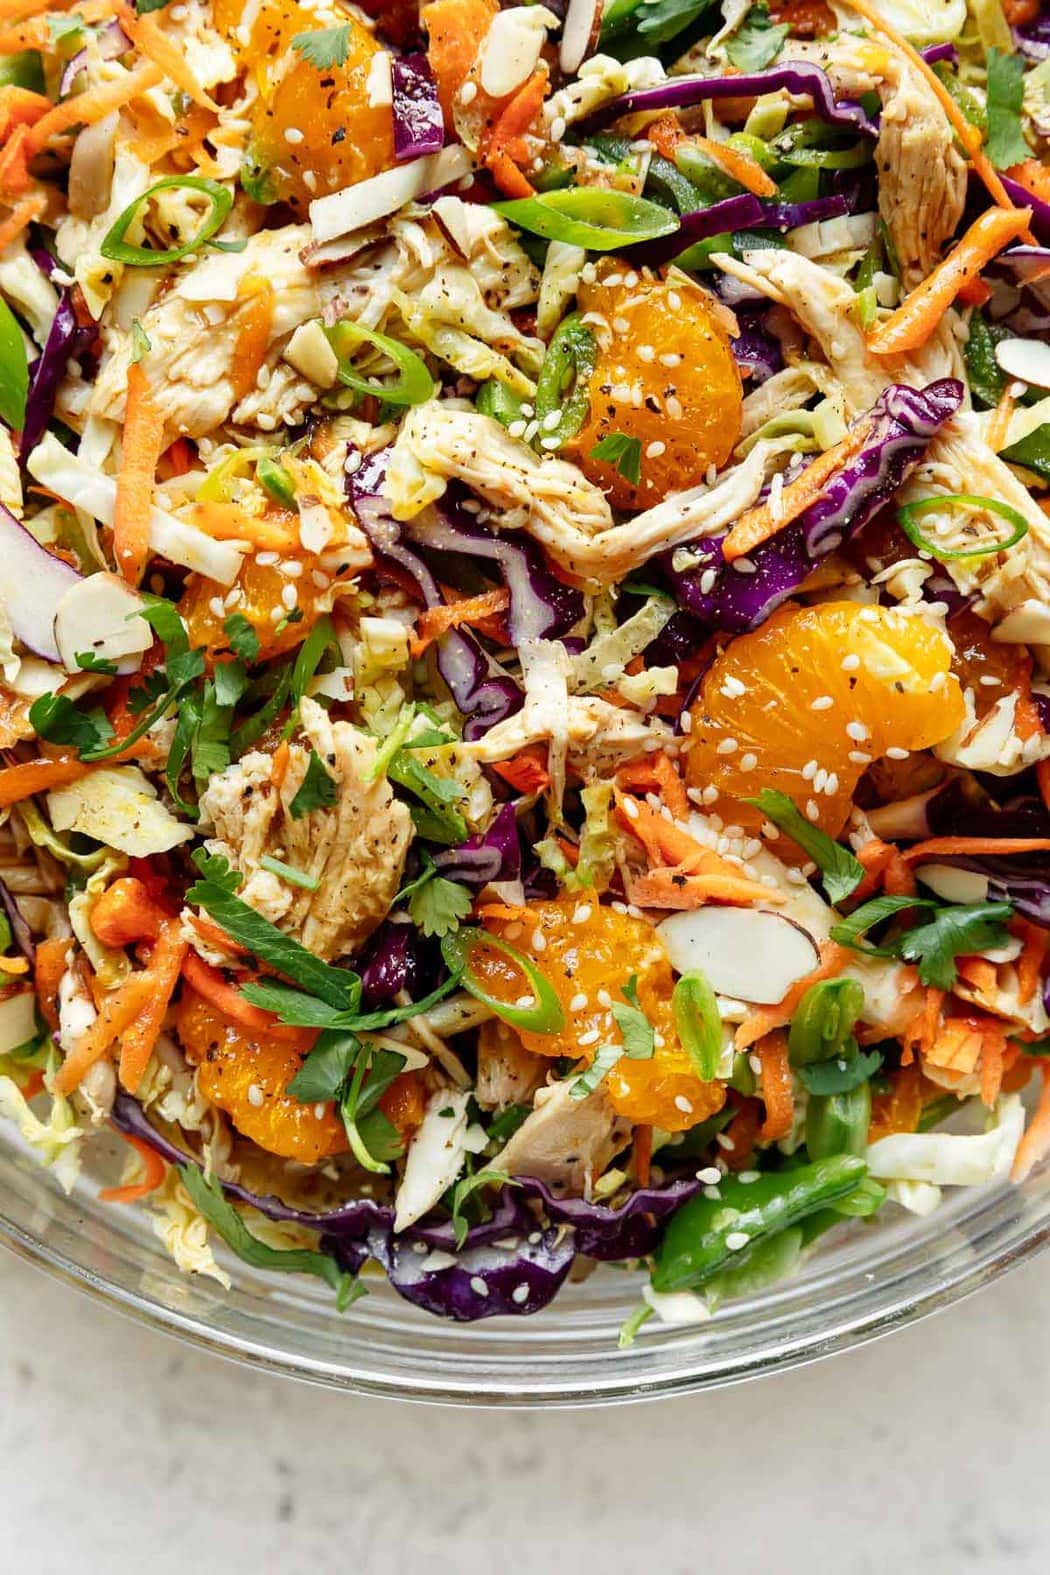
{"x":923,"y":1455}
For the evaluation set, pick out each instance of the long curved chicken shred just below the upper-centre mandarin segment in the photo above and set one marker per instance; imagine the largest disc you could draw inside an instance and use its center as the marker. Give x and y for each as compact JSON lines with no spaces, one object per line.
{"x":550,"y":498}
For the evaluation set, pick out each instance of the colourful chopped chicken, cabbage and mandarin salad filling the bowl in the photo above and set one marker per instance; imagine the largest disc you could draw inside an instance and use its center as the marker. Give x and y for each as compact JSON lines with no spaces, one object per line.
{"x":525,"y":604}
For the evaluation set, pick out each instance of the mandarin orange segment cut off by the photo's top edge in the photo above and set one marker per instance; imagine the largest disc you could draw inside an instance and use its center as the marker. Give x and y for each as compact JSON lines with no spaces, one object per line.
{"x":314,"y":128}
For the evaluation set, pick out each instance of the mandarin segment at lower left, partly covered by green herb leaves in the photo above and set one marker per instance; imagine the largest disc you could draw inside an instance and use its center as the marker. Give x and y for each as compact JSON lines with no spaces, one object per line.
{"x":248,"y":1075}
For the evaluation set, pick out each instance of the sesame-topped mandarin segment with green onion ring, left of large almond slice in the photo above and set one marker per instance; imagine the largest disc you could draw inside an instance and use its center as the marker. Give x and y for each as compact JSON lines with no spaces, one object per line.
{"x":590,"y":954}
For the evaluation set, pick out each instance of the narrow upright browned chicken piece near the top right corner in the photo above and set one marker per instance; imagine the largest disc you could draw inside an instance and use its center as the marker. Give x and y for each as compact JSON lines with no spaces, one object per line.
{"x":922,"y":174}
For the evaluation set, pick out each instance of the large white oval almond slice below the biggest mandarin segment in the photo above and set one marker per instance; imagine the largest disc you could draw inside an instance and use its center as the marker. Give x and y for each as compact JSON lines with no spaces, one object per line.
{"x":749,"y":954}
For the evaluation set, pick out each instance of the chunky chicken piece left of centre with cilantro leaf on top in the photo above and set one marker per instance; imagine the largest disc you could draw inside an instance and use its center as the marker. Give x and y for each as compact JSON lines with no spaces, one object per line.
{"x":355,"y":850}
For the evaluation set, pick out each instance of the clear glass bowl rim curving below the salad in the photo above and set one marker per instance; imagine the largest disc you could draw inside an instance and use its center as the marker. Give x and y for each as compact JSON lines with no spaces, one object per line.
{"x":863,"y":1284}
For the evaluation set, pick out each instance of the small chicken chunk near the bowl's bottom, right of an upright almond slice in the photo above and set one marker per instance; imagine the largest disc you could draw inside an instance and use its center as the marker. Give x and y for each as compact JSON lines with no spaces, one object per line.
{"x":566,"y":1143}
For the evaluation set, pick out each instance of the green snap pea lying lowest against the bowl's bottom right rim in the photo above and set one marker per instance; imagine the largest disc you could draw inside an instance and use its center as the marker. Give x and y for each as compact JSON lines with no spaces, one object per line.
{"x":706,"y":1234}
